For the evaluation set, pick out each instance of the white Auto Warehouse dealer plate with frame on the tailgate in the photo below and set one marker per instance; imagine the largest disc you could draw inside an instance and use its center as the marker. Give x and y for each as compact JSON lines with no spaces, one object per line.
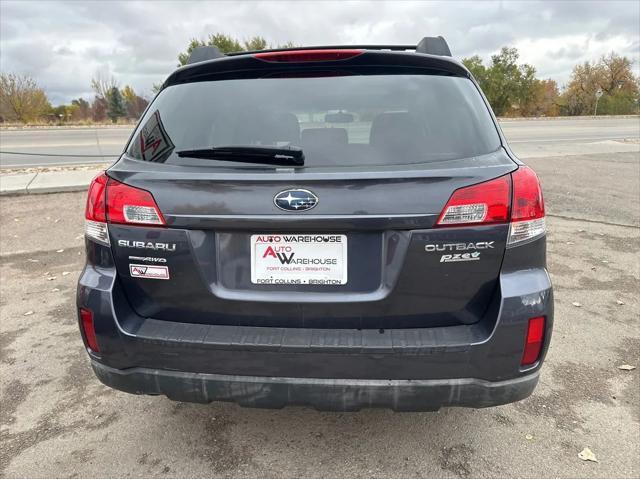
{"x":314,"y":259}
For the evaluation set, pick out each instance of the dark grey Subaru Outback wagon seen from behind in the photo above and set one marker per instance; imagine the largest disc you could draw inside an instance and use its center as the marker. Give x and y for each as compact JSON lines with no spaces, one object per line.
{"x":338,"y":227}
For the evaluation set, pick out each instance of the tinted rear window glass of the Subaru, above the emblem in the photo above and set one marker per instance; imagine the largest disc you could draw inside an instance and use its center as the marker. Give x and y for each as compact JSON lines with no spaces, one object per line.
{"x":338,"y":121}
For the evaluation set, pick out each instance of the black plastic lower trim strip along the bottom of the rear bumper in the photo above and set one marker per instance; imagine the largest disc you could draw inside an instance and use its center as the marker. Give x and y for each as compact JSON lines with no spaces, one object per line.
{"x":321,"y":394}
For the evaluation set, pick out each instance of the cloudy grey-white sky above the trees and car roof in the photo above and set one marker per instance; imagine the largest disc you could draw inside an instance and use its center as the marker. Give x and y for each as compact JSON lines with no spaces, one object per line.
{"x":63,"y":44}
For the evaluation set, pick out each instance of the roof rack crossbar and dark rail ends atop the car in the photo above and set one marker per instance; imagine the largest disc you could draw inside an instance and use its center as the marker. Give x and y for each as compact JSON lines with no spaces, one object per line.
{"x":429,"y":45}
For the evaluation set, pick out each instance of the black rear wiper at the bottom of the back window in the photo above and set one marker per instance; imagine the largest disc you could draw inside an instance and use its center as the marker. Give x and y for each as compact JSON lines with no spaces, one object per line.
{"x":265,"y":155}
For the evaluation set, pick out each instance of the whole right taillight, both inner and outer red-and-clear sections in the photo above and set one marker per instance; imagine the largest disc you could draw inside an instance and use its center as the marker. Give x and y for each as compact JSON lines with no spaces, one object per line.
{"x":490,"y":202}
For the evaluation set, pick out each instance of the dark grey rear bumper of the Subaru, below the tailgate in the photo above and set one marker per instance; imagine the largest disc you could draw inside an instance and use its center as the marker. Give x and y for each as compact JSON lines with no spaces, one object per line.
{"x":475,"y":365}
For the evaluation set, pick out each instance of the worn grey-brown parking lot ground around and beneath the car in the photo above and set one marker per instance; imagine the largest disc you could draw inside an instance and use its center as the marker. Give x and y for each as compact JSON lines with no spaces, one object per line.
{"x":59,"y":421}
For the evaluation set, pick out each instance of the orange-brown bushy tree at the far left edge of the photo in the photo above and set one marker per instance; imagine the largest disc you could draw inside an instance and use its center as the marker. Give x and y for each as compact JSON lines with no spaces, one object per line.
{"x":21,"y":99}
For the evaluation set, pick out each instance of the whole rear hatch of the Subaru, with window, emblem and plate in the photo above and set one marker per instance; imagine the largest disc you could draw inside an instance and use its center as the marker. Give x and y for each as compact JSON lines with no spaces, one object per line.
{"x":351,"y":238}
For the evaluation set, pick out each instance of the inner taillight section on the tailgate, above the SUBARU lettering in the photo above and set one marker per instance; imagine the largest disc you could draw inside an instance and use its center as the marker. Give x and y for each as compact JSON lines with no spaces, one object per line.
{"x":129,"y":205}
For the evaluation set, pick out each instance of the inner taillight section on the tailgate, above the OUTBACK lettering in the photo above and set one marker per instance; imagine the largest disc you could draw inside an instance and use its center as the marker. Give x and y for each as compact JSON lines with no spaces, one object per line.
{"x":484,"y":203}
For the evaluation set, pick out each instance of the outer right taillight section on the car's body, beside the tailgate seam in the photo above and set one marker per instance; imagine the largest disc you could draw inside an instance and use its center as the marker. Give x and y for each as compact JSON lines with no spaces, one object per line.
{"x":527,"y":217}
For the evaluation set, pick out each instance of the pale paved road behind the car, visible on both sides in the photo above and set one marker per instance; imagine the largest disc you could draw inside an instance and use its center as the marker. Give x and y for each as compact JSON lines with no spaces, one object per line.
{"x":528,"y":138}
